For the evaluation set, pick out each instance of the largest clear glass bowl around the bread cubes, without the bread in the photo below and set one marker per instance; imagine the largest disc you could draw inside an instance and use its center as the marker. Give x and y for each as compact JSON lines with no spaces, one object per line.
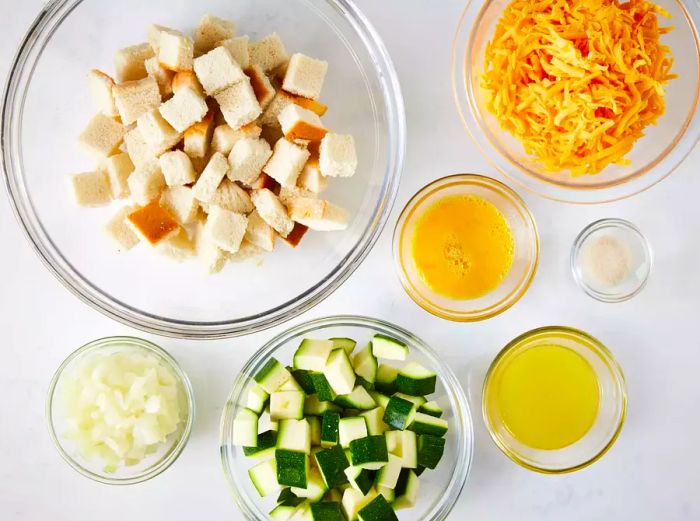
{"x":46,"y":105}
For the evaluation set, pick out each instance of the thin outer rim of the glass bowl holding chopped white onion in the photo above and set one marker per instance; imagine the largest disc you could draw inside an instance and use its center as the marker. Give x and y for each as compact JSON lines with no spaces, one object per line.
{"x":163,"y":355}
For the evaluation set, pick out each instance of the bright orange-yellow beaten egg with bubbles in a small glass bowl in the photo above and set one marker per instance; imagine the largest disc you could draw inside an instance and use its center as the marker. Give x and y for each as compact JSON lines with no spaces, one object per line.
{"x":462,"y":247}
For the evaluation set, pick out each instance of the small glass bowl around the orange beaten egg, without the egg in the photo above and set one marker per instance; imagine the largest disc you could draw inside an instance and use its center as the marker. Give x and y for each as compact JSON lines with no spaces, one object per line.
{"x":526,"y":254}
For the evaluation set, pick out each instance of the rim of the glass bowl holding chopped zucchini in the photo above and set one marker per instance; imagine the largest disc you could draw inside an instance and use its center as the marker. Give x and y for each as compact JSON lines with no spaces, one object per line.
{"x":465,"y":449}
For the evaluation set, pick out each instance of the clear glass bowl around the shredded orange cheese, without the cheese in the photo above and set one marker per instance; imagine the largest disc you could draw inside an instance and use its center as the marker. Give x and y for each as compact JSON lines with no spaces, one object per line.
{"x":653,"y":157}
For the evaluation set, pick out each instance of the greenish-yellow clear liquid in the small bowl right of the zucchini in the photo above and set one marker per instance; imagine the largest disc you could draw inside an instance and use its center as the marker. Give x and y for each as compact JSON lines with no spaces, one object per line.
{"x":546,"y":396}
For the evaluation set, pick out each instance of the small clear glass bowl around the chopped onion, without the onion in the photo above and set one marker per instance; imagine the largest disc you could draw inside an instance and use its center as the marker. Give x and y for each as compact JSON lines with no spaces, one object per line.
{"x":154,"y":463}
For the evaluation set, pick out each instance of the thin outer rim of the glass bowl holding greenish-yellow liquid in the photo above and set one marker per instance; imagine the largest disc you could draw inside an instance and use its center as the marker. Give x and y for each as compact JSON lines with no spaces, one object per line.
{"x":609,"y":360}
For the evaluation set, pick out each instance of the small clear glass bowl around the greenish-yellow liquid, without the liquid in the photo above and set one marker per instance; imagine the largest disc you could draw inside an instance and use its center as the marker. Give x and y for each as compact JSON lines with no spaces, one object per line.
{"x":611,"y":412}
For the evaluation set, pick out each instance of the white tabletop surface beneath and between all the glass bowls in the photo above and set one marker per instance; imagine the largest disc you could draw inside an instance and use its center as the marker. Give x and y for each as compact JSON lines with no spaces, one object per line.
{"x":653,"y":472}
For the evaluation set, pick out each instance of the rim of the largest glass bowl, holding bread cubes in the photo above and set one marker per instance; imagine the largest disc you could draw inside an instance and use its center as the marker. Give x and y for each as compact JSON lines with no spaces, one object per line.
{"x":18,"y":81}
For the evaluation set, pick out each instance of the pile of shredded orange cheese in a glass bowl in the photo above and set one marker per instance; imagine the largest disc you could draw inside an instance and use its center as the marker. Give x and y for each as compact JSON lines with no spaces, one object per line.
{"x":577,"y":81}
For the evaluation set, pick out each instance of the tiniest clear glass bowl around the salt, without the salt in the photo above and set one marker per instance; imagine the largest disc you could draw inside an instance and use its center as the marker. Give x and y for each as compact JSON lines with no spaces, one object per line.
{"x":640,"y":258}
